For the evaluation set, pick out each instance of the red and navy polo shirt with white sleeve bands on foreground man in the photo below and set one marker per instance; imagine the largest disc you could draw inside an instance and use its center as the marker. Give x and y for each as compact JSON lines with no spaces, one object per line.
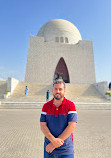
{"x":57,"y":119}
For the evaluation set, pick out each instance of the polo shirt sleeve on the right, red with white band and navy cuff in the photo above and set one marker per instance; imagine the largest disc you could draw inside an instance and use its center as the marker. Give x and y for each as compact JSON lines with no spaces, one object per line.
{"x":72,"y":113}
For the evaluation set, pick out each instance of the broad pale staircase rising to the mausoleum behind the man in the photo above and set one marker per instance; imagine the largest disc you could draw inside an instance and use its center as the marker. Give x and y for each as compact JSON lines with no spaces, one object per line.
{"x":74,"y":92}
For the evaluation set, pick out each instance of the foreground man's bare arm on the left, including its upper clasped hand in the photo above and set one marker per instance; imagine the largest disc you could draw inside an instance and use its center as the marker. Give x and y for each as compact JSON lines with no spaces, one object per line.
{"x":57,"y":142}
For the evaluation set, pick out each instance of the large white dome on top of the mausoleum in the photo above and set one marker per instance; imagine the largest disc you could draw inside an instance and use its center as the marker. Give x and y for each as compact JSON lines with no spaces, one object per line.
{"x":60,"y":30}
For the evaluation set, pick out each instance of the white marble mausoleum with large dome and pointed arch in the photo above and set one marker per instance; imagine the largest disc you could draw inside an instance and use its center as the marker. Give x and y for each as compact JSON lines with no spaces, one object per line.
{"x":59,"y":48}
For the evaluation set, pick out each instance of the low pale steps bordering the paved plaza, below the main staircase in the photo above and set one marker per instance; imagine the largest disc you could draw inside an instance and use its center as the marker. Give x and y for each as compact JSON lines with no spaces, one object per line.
{"x":38,"y":105}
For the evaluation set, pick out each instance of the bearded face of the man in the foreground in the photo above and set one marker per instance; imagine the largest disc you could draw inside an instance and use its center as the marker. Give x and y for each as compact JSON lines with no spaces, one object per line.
{"x":58,"y":91}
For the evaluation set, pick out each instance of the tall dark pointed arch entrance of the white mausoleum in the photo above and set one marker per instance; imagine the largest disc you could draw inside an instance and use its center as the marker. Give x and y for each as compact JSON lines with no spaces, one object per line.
{"x":61,"y":69}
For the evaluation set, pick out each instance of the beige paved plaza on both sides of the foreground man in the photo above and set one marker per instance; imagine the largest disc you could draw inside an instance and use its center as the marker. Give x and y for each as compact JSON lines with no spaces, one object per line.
{"x":20,"y":135}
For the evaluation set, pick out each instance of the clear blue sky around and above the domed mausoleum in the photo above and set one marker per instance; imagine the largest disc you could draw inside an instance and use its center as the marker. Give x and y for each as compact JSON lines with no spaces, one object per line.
{"x":20,"y":19}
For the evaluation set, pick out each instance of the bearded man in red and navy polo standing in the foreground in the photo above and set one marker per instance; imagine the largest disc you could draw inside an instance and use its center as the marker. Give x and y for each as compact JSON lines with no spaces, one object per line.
{"x":57,"y":122}
